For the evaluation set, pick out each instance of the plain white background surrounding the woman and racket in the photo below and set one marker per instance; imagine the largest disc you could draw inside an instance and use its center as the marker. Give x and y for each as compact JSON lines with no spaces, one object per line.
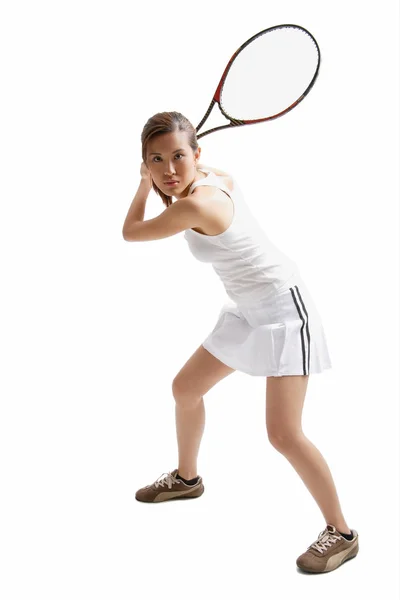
{"x":94,"y":329}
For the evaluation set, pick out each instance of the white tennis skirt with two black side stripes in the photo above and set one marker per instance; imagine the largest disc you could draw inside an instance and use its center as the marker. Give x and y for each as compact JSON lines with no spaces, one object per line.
{"x":283,"y":336}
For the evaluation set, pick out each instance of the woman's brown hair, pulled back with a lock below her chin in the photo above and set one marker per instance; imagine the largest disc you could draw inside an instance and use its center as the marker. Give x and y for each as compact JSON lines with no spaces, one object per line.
{"x":167,"y":122}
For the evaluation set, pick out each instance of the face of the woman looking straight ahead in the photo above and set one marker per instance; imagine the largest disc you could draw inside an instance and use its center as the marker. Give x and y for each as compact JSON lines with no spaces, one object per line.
{"x":169,"y":157}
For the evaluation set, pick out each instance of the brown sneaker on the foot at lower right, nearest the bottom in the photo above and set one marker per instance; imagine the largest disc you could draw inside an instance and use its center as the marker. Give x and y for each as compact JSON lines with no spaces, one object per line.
{"x":329,"y":552}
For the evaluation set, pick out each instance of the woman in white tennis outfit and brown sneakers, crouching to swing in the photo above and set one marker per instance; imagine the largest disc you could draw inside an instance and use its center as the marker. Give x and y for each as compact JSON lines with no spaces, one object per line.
{"x":269,"y":327}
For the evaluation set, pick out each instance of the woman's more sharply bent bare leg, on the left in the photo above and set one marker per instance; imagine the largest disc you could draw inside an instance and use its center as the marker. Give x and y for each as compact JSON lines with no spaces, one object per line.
{"x":201,"y":372}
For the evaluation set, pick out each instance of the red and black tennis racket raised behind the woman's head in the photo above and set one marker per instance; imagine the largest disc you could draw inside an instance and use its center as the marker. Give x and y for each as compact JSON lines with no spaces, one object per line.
{"x":267,"y":77}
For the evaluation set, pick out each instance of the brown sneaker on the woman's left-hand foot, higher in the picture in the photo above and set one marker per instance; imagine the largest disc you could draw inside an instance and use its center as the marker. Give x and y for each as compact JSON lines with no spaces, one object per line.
{"x":169,"y":488}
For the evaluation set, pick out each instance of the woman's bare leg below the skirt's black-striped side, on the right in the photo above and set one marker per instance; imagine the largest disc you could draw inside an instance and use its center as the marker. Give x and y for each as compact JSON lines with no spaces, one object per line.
{"x":284,"y":407}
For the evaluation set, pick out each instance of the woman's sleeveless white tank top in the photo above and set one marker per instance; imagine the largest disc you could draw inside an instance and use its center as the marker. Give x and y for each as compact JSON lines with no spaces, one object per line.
{"x":251,"y":268}
